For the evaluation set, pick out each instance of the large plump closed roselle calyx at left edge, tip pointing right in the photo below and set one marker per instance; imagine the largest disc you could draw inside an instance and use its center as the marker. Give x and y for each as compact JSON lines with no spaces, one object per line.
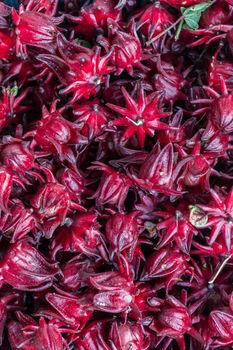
{"x":25,"y":268}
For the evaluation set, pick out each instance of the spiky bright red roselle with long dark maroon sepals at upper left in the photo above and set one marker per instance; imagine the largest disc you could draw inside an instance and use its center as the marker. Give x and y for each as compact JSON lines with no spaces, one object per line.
{"x":84,"y":72}
